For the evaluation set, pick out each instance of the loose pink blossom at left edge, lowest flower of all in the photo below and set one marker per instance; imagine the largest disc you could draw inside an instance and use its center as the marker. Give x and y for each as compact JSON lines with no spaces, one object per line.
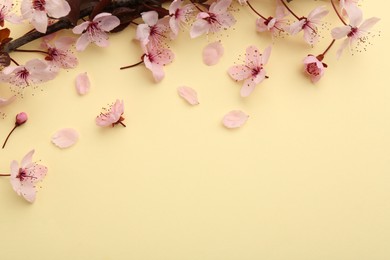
{"x":25,"y":177}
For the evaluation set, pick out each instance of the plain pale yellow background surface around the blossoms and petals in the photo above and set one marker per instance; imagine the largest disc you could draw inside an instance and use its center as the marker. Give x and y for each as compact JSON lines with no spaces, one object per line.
{"x":307,"y":177}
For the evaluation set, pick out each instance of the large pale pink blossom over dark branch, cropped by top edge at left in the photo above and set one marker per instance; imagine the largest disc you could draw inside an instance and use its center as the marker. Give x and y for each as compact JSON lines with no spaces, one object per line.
{"x":37,"y":12}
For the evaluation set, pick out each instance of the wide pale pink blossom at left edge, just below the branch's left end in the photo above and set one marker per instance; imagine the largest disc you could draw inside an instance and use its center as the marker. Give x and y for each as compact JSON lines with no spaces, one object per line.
{"x":34,"y":72}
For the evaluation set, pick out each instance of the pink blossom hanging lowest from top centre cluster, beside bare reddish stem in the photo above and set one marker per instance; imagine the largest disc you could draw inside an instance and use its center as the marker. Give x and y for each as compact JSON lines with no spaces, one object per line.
{"x":155,"y":59}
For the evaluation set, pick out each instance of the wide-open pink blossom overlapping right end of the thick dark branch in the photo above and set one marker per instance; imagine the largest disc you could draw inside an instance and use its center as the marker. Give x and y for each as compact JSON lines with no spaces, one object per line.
{"x":95,"y":31}
